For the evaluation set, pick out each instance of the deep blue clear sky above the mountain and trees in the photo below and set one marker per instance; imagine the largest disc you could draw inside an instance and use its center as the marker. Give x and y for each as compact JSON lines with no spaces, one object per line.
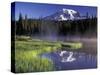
{"x":36,"y":10}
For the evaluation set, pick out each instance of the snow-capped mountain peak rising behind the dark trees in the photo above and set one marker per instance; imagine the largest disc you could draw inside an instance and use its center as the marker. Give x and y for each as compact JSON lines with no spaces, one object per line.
{"x":64,"y":14}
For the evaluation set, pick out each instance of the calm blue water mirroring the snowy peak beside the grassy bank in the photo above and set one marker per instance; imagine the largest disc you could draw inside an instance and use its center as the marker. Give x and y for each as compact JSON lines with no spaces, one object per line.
{"x":65,"y":60}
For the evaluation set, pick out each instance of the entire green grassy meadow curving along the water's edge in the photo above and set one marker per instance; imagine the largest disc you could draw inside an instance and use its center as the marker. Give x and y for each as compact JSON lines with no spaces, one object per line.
{"x":27,"y":54}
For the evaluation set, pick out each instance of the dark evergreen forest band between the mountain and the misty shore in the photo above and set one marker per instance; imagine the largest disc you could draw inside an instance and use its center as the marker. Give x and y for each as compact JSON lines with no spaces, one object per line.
{"x":83,"y":27}
